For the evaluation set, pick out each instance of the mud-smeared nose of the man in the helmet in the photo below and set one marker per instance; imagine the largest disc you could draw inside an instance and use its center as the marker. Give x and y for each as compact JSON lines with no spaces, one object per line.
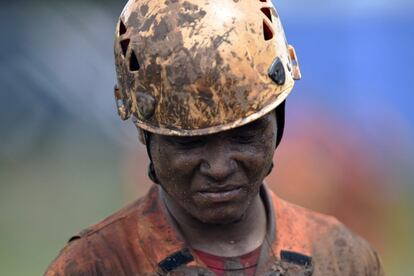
{"x":218,"y":163}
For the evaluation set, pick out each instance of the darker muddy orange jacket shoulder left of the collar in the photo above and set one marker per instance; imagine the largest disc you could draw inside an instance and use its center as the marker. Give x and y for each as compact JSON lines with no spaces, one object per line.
{"x":99,"y":248}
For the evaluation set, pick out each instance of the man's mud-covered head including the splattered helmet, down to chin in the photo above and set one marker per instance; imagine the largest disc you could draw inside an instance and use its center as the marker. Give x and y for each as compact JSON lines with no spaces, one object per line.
{"x":202,"y":79}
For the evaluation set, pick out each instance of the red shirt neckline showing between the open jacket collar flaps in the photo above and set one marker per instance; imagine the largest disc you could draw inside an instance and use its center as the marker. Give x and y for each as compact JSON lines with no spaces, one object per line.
{"x":219,"y":265}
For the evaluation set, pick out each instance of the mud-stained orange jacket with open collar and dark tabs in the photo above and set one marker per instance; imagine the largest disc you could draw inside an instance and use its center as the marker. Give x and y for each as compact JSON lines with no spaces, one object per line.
{"x":141,"y":240}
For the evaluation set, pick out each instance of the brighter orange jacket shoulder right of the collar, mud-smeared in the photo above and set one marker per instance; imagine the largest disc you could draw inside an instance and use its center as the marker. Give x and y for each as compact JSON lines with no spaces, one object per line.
{"x":334,"y":248}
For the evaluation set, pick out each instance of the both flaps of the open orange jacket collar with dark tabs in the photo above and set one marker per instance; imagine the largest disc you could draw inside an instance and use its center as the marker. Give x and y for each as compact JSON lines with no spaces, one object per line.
{"x":166,"y":249}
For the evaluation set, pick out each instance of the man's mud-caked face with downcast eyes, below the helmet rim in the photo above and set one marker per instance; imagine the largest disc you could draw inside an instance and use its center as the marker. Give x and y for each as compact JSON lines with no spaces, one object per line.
{"x":215,"y":178}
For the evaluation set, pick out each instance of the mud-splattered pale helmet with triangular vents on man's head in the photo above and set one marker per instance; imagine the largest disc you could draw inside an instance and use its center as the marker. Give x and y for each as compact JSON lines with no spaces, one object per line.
{"x":197,"y":67}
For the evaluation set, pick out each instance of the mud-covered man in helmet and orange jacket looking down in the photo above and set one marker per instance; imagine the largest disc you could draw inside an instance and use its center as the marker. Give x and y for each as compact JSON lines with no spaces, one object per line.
{"x":205,"y":82}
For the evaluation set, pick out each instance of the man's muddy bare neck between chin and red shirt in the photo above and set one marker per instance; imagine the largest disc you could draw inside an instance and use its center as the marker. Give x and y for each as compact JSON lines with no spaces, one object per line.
{"x":228,"y":240}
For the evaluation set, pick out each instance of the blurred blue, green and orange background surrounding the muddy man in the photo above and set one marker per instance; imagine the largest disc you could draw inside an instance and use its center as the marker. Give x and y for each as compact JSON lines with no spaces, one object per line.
{"x":67,"y":161}
